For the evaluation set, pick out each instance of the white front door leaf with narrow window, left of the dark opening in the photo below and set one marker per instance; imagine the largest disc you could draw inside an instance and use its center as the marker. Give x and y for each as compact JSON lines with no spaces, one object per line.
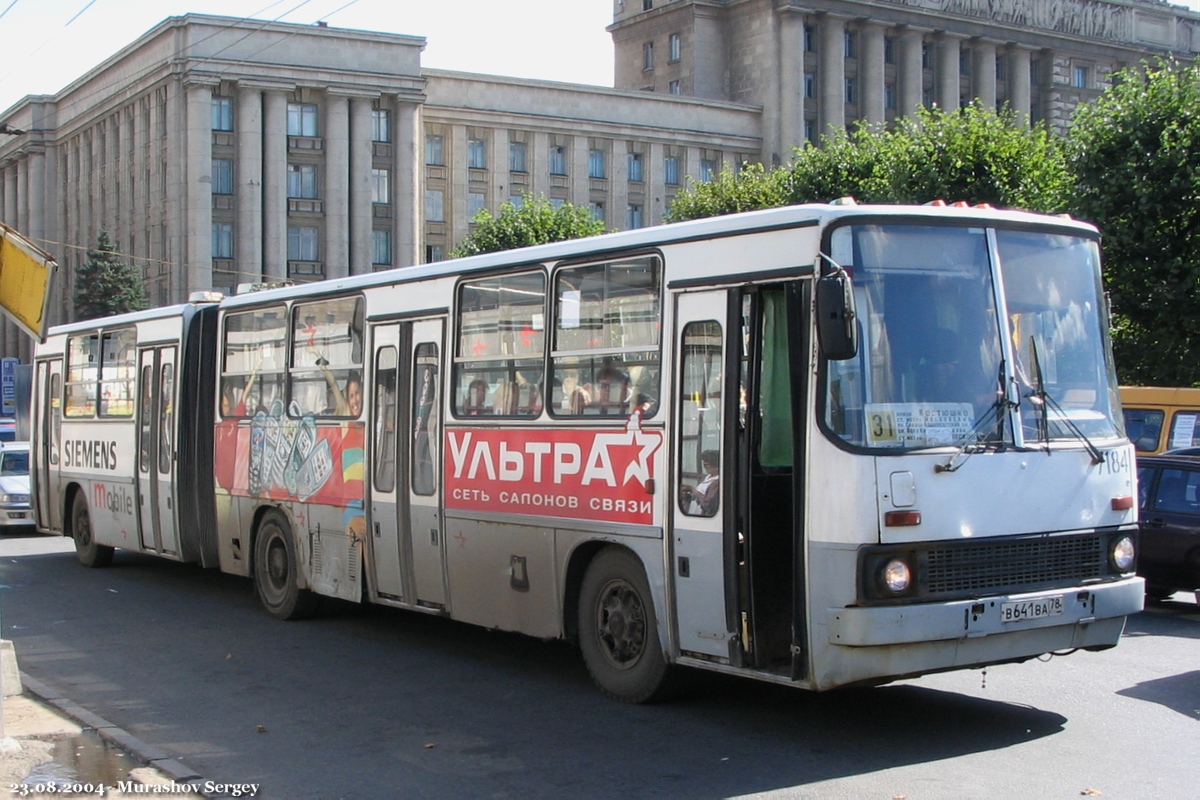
{"x":705,"y":524}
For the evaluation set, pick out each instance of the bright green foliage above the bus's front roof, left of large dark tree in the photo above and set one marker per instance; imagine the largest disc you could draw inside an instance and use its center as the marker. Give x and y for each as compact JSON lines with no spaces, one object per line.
{"x":973,"y":154}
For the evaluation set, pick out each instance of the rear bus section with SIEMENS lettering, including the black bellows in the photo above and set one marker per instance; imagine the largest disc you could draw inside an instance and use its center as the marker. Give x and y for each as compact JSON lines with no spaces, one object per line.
{"x":122,"y":430}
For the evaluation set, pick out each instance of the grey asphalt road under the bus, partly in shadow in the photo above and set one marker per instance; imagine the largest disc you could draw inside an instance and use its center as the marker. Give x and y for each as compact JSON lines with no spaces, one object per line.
{"x":374,"y":703}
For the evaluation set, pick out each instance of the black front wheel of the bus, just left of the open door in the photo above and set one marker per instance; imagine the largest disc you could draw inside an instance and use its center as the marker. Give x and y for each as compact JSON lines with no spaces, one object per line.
{"x":619,"y":633}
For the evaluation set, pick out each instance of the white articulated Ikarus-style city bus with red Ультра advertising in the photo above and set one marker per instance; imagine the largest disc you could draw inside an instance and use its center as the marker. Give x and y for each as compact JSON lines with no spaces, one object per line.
{"x":820,"y":446}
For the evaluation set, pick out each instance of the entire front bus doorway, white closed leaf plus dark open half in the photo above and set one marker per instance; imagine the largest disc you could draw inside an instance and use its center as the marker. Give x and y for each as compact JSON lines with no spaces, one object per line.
{"x":737,"y":567}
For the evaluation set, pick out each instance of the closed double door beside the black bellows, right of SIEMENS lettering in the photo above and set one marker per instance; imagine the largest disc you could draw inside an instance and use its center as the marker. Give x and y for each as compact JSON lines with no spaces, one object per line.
{"x":157,"y":450}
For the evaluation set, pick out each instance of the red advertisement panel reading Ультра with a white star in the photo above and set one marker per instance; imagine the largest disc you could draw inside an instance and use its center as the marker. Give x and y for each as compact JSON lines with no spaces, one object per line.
{"x":575,"y":473}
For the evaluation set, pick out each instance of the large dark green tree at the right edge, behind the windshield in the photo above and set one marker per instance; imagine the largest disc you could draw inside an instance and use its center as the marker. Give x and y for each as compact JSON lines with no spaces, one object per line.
{"x":1136,"y":158}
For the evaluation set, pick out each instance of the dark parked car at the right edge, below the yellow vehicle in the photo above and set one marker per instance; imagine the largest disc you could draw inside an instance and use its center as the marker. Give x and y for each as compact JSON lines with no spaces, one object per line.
{"x":1169,"y":502}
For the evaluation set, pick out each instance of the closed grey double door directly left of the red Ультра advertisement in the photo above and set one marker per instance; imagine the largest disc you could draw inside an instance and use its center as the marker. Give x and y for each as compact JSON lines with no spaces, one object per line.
{"x":406,"y":520}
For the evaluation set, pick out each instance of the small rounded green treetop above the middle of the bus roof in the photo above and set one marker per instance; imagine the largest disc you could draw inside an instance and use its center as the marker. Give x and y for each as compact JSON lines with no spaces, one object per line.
{"x":535,"y":222}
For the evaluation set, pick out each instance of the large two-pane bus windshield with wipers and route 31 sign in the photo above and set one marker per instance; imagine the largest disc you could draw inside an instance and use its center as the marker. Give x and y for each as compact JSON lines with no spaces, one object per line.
{"x":934,"y":368}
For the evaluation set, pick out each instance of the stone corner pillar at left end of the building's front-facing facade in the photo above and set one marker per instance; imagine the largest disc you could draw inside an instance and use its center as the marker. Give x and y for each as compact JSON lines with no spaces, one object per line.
{"x":199,"y":196}
